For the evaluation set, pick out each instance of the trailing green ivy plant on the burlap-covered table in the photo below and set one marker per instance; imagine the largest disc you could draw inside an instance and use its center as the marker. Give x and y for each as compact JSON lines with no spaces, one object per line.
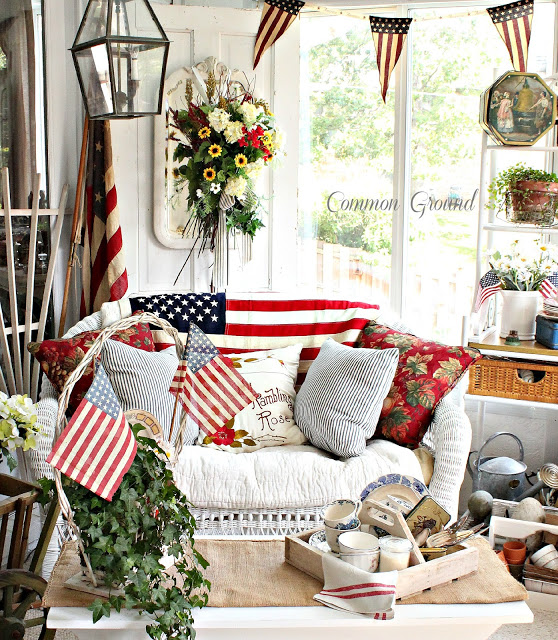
{"x":129,"y":541}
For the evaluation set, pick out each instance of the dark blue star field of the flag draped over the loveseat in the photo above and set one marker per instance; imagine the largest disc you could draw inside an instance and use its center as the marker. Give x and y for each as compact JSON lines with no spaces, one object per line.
{"x":206,"y":310}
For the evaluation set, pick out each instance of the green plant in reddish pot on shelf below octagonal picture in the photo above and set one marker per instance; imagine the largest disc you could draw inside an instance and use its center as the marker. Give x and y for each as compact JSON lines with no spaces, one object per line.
{"x":526,"y":195}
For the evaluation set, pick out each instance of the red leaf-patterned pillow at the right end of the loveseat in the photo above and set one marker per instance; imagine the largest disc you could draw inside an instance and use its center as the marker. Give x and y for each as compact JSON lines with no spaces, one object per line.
{"x":426,"y":372}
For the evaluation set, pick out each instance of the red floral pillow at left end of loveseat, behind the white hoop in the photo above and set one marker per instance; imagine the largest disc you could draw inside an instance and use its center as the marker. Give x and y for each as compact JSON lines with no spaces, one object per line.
{"x":58,"y":358}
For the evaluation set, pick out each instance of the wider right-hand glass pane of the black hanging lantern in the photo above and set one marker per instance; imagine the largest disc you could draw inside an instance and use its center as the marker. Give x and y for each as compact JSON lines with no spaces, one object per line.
{"x":137,"y":77}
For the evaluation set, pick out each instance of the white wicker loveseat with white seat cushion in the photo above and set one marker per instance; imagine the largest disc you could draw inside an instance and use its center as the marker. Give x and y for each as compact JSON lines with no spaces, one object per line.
{"x":279,"y":490}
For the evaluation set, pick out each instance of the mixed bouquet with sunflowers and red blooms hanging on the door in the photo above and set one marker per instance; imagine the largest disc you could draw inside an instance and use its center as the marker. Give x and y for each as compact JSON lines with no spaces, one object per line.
{"x":223,"y":144}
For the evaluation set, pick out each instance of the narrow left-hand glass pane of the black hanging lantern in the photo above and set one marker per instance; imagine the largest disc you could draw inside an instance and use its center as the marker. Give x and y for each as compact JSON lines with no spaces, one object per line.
{"x":94,"y":70}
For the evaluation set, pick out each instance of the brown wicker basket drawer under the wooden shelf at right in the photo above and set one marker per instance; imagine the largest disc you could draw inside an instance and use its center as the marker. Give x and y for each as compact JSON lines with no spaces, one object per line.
{"x":500,"y":378}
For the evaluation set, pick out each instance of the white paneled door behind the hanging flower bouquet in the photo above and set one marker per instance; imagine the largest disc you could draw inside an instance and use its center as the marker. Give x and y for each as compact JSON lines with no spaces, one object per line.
{"x":228,"y":35}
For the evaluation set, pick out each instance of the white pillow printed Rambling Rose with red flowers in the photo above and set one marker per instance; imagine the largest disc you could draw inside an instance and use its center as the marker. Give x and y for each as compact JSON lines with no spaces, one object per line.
{"x":268,"y":421}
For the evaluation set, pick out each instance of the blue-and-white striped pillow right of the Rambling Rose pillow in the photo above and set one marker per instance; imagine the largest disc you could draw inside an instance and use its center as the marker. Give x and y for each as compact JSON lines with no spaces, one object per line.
{"x":338,"y":406}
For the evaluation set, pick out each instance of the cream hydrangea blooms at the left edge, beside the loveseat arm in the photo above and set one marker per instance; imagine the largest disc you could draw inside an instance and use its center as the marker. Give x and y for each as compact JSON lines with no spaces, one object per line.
{"x":18,"y":426}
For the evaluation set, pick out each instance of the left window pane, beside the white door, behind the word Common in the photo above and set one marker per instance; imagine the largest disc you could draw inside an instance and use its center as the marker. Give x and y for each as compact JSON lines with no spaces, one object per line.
{"x":346,"y":163}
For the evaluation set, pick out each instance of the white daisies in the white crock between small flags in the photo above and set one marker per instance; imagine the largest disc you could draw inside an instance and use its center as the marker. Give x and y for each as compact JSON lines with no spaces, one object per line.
{"x":524,"y":269}
